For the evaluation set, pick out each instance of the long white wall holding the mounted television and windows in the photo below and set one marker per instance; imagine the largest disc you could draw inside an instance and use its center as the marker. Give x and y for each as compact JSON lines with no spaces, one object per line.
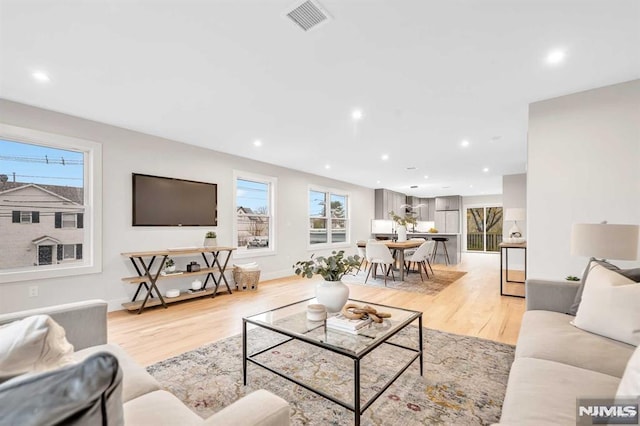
{"x":125,"y":152}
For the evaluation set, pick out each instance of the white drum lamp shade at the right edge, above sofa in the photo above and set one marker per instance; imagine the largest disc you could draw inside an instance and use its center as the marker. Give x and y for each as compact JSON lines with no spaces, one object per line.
{"x":605,"y":241}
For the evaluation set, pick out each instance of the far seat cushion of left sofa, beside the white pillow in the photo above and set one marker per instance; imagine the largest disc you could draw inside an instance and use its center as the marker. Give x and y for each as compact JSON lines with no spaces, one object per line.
{"x":136,"y":381}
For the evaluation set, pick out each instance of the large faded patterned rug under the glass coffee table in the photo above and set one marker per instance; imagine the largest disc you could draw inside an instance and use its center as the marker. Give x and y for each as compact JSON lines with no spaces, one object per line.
{"x":464,"y":379}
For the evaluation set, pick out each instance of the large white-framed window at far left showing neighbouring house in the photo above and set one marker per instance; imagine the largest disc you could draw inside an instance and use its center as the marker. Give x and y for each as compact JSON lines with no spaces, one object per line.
{"x":51,"y":182}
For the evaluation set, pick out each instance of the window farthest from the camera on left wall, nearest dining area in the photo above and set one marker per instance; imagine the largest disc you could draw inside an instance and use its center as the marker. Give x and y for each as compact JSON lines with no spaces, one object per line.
{"x":328,"y":225}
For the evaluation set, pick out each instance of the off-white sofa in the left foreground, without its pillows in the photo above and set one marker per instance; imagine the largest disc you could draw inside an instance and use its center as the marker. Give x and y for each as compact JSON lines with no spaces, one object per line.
{"x":144,"y":400}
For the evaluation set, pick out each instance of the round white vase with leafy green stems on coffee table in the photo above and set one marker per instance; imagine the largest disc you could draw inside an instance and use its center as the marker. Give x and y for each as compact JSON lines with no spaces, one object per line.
{"x":331,"y":292}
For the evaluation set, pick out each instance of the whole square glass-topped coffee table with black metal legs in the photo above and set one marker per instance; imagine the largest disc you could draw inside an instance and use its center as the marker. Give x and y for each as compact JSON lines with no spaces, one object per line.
{"x":291,"y":321}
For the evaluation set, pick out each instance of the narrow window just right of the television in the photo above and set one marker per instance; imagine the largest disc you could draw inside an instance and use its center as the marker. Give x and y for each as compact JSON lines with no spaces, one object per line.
{"x":254,"y":214}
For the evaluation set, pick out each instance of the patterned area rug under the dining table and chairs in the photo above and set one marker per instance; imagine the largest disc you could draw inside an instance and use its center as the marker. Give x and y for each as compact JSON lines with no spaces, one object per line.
{"x":433,"y":285}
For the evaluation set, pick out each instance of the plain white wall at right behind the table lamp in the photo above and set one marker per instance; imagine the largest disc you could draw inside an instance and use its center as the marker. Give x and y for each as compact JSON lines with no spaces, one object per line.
{"x":583,"y":167}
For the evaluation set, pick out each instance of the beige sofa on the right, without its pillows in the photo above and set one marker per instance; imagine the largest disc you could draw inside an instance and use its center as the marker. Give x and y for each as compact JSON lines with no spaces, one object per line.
{"x":556,"y":363}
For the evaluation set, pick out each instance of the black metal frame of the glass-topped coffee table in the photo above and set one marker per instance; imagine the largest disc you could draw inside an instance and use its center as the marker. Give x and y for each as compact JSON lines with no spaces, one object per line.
{"x":356,"y":407}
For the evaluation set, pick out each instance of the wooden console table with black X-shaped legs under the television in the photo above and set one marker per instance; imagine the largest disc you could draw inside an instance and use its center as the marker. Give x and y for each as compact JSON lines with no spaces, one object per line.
{"x":215,"y":262}
